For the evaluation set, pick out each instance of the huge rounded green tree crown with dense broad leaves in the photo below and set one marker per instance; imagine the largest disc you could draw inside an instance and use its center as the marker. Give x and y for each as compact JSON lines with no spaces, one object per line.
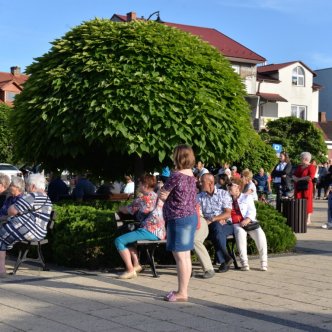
{"x":107,"y":94}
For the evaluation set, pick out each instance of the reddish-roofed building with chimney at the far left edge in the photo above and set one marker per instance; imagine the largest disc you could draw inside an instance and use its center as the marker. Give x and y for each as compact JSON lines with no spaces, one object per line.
{"x":11,"y":84}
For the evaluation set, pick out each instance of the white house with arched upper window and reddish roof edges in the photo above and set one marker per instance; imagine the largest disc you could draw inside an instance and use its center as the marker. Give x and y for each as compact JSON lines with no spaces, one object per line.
{"x":286,"y":89}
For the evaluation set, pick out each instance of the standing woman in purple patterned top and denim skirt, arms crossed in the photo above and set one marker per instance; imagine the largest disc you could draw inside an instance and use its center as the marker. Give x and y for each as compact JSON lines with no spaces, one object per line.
{"x":179,"y":194}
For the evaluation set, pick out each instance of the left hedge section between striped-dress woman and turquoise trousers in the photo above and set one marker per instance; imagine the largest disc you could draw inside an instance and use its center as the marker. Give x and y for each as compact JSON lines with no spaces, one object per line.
{"x":83,"y":236}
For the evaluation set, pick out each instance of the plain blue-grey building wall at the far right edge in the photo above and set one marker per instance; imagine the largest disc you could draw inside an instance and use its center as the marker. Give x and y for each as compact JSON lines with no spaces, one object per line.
{"x":324,"y":78}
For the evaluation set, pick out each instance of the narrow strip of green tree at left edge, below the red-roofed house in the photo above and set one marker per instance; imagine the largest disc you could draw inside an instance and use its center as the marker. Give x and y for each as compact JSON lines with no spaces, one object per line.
{"x":6,"y":135}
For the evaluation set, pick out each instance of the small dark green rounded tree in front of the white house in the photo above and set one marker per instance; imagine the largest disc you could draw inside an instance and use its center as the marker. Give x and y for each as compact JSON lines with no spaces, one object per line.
{"x":296,"y":136}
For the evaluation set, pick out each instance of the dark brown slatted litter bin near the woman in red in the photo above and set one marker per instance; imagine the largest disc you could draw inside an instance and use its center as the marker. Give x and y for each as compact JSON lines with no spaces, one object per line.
{"x":295,"y":210}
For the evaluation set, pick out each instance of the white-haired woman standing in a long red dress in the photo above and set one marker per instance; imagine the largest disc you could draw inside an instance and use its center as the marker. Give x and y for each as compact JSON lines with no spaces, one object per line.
{"x":303,"y":176}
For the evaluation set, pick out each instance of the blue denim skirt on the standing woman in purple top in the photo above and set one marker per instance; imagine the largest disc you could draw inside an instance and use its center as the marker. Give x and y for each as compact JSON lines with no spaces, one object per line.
{"x":180,"y":233}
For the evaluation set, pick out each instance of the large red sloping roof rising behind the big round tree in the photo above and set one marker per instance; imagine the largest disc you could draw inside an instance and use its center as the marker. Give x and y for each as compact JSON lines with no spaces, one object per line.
{"x":227,"y":46}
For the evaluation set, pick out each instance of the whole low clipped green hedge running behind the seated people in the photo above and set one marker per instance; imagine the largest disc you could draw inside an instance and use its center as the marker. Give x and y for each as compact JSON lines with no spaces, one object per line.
{"x":84,"y":235}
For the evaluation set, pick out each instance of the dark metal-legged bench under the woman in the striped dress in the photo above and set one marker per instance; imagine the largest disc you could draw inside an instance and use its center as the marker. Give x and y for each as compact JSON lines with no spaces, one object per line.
{"x":25,"y":247}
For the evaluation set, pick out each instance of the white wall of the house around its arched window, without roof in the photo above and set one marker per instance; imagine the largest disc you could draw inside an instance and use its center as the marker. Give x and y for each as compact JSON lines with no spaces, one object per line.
{"x":295,"y":95}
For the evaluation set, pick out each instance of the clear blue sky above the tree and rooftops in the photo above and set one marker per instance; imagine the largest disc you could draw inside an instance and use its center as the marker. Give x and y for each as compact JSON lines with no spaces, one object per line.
{"x":278,"y":30}
